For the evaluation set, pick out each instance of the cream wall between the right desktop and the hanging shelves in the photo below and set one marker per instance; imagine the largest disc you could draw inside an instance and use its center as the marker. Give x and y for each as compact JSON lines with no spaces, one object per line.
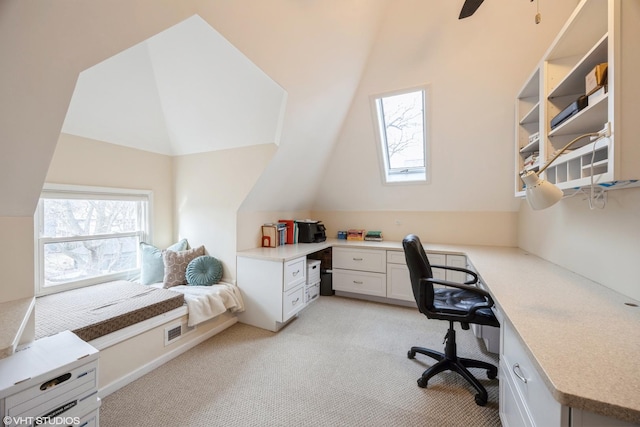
{"x":601,"y":244}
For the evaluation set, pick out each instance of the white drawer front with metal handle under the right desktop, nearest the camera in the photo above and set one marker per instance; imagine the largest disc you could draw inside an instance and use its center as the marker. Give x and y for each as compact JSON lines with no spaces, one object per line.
{"x":535,"y":400}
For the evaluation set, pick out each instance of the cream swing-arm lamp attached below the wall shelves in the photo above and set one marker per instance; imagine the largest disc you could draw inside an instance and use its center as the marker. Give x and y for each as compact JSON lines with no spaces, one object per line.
{"x":542,"y":194}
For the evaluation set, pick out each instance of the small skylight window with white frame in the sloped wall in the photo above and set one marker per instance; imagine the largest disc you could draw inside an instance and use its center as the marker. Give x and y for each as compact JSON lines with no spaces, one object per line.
{"x":401,"y":119}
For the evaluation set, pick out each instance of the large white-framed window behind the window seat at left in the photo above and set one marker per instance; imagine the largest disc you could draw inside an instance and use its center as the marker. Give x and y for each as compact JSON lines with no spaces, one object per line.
{"x":88,"y":235}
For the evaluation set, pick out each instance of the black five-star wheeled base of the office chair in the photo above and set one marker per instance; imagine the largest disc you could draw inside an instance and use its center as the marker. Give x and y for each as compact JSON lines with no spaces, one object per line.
{"x":448,"y":361}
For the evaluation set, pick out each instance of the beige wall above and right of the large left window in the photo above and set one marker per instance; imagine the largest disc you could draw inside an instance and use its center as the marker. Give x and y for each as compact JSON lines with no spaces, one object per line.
{"x":83,"y":161}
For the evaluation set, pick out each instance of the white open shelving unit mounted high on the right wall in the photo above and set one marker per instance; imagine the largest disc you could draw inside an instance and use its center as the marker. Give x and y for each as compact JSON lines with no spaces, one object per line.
{"x":593,"y":35}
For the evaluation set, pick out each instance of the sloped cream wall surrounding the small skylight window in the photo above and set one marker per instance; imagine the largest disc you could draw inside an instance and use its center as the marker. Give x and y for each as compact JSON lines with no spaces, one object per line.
{"x":474,"y":68}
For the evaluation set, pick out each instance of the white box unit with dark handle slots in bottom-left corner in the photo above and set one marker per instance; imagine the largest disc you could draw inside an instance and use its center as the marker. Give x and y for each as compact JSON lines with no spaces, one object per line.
{"x":54,"y":379}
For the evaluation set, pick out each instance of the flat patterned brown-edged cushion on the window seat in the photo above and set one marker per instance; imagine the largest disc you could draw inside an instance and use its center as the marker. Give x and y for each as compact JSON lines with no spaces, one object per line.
{"x":98,"y":310}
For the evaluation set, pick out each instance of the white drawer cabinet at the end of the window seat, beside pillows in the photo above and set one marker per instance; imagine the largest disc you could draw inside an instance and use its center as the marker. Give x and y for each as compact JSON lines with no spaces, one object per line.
{"x":273,"y":290}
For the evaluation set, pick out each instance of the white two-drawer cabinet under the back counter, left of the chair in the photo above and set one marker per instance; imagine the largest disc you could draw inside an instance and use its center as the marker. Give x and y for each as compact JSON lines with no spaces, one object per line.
{"x":360,"y":271}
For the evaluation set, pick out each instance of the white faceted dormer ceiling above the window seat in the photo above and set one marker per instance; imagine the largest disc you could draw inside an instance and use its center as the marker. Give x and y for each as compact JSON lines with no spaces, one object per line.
{"x":183,"y":91}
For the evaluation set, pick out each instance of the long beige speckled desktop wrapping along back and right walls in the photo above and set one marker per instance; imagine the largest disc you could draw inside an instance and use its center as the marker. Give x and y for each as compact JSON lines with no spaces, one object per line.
{"x":583,"y":337}
